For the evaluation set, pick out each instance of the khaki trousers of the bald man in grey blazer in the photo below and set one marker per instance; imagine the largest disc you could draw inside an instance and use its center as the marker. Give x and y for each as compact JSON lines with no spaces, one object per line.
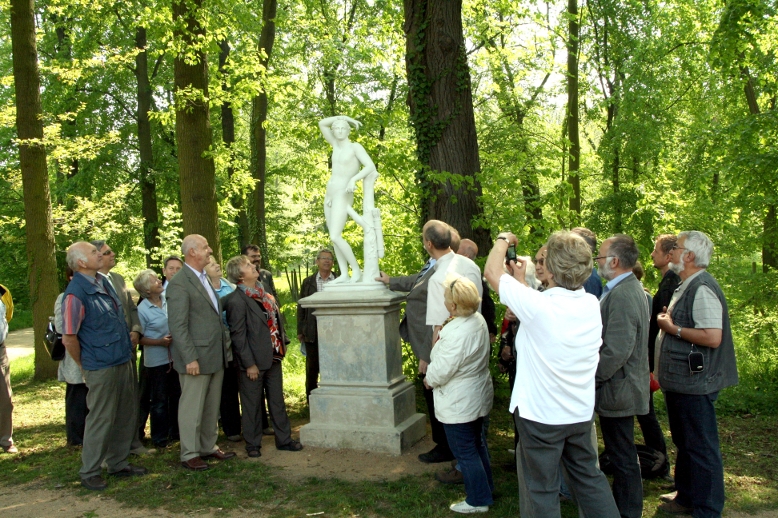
{"x":198,"y":413}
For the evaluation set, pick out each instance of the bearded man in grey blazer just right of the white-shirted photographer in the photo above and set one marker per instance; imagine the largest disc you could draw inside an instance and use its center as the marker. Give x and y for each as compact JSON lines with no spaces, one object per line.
{"x":622,"y":381}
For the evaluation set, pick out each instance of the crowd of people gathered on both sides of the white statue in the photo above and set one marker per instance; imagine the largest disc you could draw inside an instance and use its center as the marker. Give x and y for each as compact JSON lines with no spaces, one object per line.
{"x":576,"y":349}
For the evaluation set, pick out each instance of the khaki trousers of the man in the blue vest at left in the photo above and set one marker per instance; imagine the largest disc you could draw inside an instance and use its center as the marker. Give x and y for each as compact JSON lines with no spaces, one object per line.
{"x":110,"y":424}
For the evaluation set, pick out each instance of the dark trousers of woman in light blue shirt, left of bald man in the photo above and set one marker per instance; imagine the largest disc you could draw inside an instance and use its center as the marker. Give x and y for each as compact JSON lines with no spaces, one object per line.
{"x":165,"y":392}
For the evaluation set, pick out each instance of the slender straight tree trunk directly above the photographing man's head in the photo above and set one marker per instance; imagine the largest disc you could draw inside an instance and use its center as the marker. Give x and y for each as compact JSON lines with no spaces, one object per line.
{"x":574,"y":157}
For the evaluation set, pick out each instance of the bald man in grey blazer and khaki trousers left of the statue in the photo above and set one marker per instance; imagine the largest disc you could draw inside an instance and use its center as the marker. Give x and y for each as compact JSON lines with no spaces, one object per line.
{"x":200,"y":352}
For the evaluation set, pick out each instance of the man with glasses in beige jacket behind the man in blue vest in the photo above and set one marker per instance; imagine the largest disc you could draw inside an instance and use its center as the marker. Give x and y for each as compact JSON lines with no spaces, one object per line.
{"x":116,"y":281}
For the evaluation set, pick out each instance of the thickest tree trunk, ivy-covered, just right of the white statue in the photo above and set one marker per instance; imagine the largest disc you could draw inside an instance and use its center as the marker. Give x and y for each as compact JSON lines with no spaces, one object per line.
{"x":441,"y":105}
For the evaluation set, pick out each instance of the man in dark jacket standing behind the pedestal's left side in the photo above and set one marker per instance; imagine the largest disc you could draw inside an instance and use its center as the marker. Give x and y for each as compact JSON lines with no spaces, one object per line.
{"x":306,"y":320}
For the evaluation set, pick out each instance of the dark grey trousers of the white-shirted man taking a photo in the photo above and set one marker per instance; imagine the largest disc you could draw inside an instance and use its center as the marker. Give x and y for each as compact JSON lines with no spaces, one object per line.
{"x":541,"y":446}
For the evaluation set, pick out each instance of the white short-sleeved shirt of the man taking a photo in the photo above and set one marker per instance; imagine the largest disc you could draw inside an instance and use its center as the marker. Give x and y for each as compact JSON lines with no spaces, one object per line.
{"x":557,"y":352}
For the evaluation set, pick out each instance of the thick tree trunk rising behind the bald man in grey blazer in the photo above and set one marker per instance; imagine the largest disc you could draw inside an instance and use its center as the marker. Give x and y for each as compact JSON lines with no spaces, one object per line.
{"x":196,"y":171}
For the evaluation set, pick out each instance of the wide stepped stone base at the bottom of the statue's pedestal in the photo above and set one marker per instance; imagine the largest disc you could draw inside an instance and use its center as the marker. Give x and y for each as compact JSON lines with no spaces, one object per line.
{"x":360,"y":417}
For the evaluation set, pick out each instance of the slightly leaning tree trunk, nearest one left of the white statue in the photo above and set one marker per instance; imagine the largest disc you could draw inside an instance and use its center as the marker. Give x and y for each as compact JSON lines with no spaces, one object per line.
{"x":267,"y":37}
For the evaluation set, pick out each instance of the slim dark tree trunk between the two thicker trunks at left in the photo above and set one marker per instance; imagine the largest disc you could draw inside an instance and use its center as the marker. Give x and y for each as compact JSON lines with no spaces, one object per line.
{"x":147,"y":182}
